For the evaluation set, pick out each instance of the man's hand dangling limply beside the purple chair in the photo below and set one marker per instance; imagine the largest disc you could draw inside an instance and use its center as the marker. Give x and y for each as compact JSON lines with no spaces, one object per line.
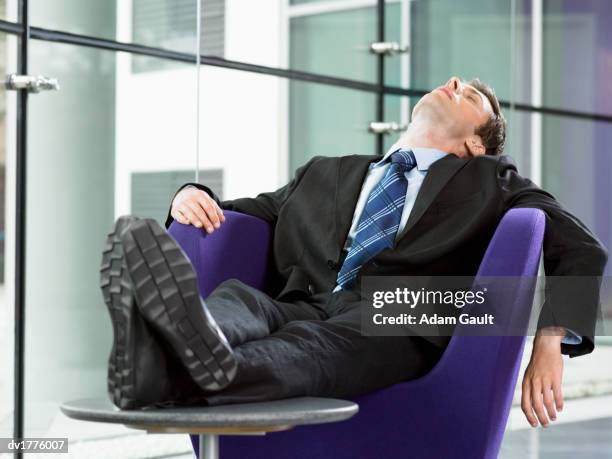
{"x":542,"y":379}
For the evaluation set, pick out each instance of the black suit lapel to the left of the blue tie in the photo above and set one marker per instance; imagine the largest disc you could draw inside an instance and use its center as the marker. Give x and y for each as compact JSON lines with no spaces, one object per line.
{"x":352,"y":171}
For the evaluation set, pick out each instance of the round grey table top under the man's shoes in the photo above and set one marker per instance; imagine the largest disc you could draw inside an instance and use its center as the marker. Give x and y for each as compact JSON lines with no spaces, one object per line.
{"x":261,"y":416}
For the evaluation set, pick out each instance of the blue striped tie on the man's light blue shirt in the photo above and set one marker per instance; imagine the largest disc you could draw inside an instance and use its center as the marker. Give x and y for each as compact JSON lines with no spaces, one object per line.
{"x":380,"y":219}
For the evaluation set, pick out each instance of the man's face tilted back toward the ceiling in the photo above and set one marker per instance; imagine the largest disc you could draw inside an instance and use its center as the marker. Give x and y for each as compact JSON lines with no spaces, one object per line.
{"x":457,"y":108}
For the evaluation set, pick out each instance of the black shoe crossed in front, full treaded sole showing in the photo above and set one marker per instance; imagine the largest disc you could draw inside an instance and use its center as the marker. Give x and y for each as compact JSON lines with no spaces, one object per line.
{"x":166,"y":291}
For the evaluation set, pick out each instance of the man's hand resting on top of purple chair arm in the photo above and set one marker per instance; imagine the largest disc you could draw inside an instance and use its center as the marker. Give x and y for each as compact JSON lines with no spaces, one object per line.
{"x":194,"y":206}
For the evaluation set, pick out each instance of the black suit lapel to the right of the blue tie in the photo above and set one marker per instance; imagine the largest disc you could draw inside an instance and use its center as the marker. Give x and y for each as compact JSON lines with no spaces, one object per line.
{"x":440,"y":172}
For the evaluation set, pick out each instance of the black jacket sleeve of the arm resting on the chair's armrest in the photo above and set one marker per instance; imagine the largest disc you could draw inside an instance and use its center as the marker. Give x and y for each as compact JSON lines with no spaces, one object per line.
{"x":265,"y":205}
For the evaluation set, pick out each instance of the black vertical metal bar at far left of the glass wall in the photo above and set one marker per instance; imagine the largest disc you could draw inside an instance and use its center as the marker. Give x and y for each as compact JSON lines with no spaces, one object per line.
{"x":20,"y":228}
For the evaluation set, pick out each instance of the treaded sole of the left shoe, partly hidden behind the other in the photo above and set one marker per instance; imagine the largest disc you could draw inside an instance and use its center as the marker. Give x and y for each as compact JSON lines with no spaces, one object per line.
{"x":117,"y":292}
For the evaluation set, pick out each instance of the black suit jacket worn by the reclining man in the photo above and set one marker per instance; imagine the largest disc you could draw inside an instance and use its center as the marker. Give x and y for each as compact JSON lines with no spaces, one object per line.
{"x":457,"y":210}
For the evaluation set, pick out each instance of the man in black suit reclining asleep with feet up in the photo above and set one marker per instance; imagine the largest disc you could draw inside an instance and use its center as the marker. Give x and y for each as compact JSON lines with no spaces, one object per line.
{"x":428,"y":208}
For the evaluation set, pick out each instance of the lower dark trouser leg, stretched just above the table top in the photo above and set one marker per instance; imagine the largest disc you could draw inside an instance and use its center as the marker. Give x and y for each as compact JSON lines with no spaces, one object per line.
{"x":328,"y":358}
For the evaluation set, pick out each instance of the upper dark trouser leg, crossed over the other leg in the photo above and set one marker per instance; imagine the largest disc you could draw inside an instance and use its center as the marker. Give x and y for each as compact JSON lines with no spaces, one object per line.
{"x":245,"y":314}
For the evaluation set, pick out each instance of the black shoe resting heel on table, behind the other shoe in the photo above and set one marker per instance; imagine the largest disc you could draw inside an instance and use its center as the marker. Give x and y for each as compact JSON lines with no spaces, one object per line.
{"x":140,"y":371}
